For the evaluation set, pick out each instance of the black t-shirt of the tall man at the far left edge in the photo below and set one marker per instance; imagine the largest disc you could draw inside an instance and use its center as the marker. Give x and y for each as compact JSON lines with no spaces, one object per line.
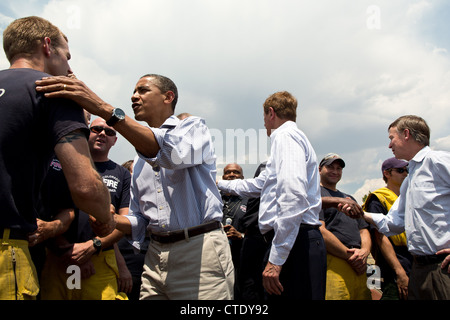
{"x":30,"y":127}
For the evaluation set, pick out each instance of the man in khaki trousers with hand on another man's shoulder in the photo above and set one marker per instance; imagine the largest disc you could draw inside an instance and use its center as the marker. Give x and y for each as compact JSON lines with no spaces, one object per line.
{"x":174,"y":196}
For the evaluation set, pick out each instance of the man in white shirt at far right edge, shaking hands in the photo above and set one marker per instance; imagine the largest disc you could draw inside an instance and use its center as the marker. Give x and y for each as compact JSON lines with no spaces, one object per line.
{"x":422,"y":209}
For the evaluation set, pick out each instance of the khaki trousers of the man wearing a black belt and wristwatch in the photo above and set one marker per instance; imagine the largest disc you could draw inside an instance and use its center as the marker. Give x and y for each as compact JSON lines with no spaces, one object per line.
{"x":199,"y":268}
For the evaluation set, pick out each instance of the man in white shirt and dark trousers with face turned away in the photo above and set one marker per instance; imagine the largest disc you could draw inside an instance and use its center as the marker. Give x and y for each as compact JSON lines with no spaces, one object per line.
{"x":289,"y":207}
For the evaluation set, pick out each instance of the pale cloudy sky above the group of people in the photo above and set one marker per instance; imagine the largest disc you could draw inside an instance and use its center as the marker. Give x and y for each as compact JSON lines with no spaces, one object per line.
{"x":354,"y":66}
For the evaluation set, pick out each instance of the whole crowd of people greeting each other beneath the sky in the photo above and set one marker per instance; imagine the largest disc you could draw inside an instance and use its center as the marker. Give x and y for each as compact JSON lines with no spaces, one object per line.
{"x":160,"y":227}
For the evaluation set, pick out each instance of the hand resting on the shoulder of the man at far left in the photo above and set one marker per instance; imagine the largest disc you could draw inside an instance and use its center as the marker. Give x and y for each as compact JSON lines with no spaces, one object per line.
{"x":73,"y":89}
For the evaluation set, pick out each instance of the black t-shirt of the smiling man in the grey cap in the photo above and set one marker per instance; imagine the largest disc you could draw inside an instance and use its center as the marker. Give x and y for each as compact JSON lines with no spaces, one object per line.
{"x":346,"y":229}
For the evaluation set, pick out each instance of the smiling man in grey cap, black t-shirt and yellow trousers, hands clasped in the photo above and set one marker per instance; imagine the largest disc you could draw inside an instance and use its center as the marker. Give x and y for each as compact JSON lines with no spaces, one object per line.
{"x":347,"y":240}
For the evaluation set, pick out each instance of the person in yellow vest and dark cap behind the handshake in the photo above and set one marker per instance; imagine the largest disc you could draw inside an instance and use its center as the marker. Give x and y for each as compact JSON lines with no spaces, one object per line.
{"x":391,"y":253}
